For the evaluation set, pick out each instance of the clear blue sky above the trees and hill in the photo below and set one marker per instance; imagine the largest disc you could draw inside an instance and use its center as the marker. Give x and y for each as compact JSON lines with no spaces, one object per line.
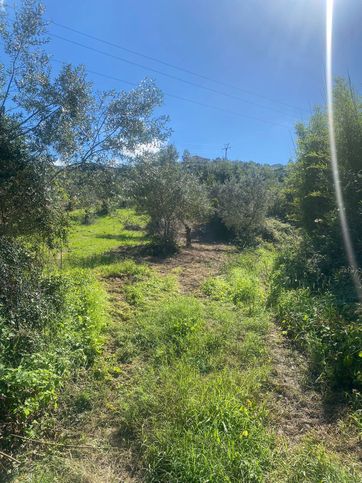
{"x":270,"y":53}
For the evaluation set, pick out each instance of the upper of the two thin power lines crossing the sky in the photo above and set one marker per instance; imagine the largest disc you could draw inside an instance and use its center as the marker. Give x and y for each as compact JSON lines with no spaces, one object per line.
{"x":173,"y":66}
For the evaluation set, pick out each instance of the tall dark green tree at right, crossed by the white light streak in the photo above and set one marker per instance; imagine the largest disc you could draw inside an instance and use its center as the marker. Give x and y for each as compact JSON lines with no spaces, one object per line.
{"x":310,"y":185}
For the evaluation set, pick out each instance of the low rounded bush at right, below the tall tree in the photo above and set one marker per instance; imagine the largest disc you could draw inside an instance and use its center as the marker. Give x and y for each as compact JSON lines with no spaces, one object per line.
{"x":315,"y":309}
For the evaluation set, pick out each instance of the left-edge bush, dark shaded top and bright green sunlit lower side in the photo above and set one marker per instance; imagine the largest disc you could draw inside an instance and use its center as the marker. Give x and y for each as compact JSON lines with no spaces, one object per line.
{"x":50,"y":324}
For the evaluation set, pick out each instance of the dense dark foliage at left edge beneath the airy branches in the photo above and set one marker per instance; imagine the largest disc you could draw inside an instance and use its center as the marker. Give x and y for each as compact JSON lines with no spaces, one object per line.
{"x":30,"y":202}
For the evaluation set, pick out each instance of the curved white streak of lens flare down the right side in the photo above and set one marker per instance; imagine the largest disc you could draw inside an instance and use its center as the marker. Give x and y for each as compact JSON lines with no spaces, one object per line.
{"x":334,"y":157}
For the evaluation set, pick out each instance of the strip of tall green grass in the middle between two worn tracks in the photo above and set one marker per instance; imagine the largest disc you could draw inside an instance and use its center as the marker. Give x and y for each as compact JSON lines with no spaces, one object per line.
{"x":193,"y":410}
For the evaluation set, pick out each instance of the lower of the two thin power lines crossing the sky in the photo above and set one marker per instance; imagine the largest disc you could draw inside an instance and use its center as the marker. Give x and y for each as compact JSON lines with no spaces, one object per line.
{"x":171,"y":76}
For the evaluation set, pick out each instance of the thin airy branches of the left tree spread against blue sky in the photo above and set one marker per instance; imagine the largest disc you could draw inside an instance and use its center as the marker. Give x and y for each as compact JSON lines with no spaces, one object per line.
{"x":59,"y":113}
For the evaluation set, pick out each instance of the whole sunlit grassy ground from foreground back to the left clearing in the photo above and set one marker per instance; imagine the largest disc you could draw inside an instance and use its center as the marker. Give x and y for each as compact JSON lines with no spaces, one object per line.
{"x":183,"y":390}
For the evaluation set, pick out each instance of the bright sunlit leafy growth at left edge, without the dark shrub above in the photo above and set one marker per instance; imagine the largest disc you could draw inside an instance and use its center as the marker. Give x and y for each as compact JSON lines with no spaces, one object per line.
{"x":51,"y":348}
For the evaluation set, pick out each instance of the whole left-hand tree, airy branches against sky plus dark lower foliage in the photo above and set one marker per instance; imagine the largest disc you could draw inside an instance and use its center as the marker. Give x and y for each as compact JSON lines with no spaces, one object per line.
{"x":52,"y":118}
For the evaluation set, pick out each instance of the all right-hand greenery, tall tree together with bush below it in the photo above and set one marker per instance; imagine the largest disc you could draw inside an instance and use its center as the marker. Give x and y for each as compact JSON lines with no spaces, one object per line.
{"x":313,"y":292}
